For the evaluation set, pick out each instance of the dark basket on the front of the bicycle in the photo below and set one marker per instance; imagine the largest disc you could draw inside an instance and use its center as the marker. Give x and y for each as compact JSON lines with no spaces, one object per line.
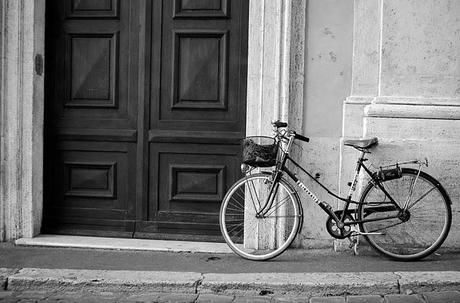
{"x":259,"y":151}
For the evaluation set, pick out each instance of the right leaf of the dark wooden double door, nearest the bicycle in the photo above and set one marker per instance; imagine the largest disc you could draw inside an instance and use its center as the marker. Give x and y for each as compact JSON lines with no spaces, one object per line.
{"x":197,"y":114}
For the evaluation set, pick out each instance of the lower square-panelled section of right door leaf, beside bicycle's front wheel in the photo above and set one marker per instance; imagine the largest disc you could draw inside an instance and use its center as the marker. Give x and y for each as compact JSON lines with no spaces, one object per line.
{"x":188,"y":182}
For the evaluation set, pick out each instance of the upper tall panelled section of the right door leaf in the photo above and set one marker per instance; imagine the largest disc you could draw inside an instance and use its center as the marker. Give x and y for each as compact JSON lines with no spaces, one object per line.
{"x":203,"y":69}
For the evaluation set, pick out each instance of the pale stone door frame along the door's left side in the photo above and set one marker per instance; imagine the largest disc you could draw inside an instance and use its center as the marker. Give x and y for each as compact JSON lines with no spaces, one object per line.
{"x":22,"y":102}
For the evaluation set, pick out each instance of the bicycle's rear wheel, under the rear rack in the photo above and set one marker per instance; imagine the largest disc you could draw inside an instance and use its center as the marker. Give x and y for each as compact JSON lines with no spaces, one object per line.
{"x":416,"y":232}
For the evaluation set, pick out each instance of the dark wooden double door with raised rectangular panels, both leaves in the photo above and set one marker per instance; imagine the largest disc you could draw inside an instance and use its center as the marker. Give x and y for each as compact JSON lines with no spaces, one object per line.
{"x":145,"y":106}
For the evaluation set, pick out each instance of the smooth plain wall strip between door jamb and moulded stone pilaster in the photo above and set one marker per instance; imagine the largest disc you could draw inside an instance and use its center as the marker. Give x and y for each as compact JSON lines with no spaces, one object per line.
{"x":328,"y":62}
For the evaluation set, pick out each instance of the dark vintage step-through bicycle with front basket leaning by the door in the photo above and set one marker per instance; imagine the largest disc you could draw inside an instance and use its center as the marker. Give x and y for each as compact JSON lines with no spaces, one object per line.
{"x":403,"y":212}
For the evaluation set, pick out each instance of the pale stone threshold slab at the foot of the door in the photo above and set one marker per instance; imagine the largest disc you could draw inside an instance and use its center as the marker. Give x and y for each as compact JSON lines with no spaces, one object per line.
{"x":123,"y":244}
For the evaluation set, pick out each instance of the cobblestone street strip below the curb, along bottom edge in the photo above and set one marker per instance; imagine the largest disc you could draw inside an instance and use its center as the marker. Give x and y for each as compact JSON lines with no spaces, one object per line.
{"x":37,"y":296}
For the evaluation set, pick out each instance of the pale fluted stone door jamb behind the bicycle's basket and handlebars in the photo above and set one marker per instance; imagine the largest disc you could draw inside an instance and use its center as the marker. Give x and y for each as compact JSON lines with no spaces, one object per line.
{"x":276,"y":50}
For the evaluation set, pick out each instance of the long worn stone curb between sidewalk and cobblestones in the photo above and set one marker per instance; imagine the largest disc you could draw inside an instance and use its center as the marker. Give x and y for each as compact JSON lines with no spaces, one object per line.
{"x":312,"y":284}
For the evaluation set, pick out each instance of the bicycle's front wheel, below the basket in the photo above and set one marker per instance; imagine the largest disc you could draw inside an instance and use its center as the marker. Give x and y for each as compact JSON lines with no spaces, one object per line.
{"x":256,"y":226}
